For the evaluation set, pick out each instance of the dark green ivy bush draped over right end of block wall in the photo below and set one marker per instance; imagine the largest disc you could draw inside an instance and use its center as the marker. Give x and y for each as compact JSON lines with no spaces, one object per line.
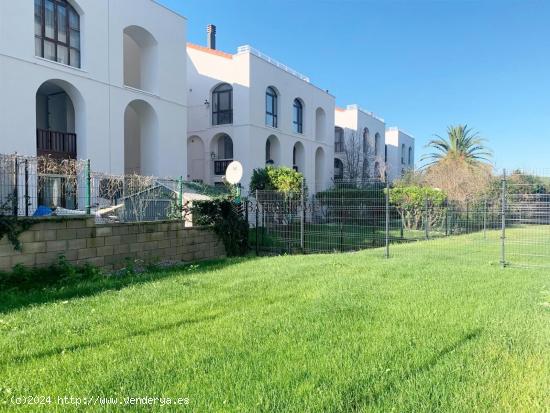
{"x":227,"y":222}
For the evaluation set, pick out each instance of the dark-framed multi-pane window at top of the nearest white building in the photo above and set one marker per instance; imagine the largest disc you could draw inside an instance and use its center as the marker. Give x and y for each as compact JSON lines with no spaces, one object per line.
{"x":42,"y":38}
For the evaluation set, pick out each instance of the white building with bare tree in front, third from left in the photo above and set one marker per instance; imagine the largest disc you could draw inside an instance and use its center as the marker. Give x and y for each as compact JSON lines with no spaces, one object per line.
{"x":358,"y":144}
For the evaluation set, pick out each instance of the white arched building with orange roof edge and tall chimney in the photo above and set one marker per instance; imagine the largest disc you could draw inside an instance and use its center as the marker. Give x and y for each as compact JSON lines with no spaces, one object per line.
{"x":248,"y":107}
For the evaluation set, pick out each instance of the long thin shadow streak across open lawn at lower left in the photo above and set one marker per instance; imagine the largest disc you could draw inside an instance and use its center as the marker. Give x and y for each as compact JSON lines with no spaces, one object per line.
{"x":85,"y":346}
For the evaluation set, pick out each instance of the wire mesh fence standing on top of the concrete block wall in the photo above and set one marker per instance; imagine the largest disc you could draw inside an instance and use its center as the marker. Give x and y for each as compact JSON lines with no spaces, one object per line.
{"x":42,"y":186}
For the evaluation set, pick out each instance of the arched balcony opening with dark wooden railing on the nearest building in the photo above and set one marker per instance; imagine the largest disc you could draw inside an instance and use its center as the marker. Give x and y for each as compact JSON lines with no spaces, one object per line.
{"x":60,"y":120}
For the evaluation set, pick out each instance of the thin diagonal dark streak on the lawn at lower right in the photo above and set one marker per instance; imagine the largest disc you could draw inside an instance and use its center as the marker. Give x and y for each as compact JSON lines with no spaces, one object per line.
{"x":357,"y":399}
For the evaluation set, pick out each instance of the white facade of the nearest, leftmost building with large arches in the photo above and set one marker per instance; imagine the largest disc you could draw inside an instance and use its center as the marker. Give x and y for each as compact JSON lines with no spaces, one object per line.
{"x":127,"y":100}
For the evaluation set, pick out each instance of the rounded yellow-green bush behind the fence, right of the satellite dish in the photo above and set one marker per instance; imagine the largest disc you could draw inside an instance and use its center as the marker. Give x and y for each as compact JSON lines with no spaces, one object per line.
{"x":272,"y":178}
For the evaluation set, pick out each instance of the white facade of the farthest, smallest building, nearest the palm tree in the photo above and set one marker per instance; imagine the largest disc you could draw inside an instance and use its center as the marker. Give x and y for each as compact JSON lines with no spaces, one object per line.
{"x":401,"y":152}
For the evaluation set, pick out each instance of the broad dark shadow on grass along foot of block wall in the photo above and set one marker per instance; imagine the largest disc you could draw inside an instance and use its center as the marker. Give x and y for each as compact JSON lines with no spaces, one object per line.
{"x":18,"y":298}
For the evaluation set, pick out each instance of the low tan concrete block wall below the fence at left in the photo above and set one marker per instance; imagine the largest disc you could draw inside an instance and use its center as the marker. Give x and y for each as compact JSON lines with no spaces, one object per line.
{"x":109,"y":246}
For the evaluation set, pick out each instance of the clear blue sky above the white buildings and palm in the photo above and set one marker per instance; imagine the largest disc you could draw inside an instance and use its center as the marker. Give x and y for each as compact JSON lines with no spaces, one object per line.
{"x":421,"y":65}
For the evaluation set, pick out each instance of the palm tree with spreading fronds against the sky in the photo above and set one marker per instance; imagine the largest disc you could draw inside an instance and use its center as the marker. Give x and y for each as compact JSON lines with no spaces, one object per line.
{"x":462,"y":143}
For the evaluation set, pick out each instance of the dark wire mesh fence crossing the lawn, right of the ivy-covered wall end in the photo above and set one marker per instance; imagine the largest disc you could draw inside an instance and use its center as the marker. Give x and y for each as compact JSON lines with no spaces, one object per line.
{"x":510,"y":224}
